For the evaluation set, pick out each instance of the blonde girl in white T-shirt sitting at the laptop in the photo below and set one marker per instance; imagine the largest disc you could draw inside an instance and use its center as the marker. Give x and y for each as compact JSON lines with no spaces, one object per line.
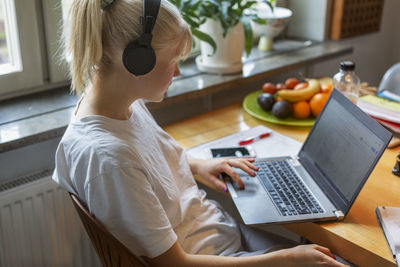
{"x":132,"y":175}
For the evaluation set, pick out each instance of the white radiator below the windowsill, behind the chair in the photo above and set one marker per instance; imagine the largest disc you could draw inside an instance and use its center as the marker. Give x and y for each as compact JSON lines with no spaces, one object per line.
{"x":39,"y":226}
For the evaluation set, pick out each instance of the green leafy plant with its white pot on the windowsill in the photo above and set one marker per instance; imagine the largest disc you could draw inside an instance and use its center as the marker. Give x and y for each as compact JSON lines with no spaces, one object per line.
{"x":224,"y":30}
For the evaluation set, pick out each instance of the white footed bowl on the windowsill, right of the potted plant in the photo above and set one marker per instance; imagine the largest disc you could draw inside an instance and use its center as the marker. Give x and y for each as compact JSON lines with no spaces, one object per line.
{"x":276,"y":23}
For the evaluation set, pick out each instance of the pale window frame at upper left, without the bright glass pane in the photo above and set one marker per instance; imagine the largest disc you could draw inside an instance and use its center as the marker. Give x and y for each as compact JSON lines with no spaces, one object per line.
{"x":38,"y":31}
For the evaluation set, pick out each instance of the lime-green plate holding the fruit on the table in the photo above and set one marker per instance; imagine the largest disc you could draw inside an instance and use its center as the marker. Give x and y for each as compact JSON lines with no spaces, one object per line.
{"x":251,"y":106}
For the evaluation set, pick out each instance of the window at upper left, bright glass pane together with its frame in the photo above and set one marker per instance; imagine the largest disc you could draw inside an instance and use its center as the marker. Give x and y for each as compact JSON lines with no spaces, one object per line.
{"x":29,"y":43}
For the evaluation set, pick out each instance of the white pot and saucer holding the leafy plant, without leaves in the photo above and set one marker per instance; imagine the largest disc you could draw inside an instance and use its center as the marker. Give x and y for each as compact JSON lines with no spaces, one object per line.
{"x":228,"y":56}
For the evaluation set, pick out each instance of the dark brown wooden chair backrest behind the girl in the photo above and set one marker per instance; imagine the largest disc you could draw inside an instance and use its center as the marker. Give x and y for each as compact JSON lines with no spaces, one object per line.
{"x":110,"y":251}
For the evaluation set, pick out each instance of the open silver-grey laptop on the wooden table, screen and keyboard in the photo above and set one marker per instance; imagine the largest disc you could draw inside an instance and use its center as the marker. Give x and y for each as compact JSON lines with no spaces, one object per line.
{"x":323,"y":180}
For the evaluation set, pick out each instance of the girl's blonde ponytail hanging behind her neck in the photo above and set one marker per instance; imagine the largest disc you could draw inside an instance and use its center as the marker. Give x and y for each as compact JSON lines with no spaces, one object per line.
{"x":83,"y":43}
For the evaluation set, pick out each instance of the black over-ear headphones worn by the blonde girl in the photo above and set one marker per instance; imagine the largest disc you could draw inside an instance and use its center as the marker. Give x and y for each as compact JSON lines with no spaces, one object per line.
{"x":139,"y":57}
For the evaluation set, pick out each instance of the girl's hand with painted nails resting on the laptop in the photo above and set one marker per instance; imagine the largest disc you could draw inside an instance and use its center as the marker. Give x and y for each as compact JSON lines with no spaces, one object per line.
{"x":211,"y":169}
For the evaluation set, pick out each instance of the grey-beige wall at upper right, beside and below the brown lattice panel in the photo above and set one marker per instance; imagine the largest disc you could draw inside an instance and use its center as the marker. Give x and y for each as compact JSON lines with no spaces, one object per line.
{"x":373,"y":53}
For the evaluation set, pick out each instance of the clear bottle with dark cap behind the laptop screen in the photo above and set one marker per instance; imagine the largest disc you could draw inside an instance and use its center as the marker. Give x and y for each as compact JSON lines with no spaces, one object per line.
{"x":346,"y":81}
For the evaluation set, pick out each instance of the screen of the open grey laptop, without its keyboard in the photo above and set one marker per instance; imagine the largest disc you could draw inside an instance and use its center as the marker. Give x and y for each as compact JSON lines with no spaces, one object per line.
{"x":343,"y":148}
